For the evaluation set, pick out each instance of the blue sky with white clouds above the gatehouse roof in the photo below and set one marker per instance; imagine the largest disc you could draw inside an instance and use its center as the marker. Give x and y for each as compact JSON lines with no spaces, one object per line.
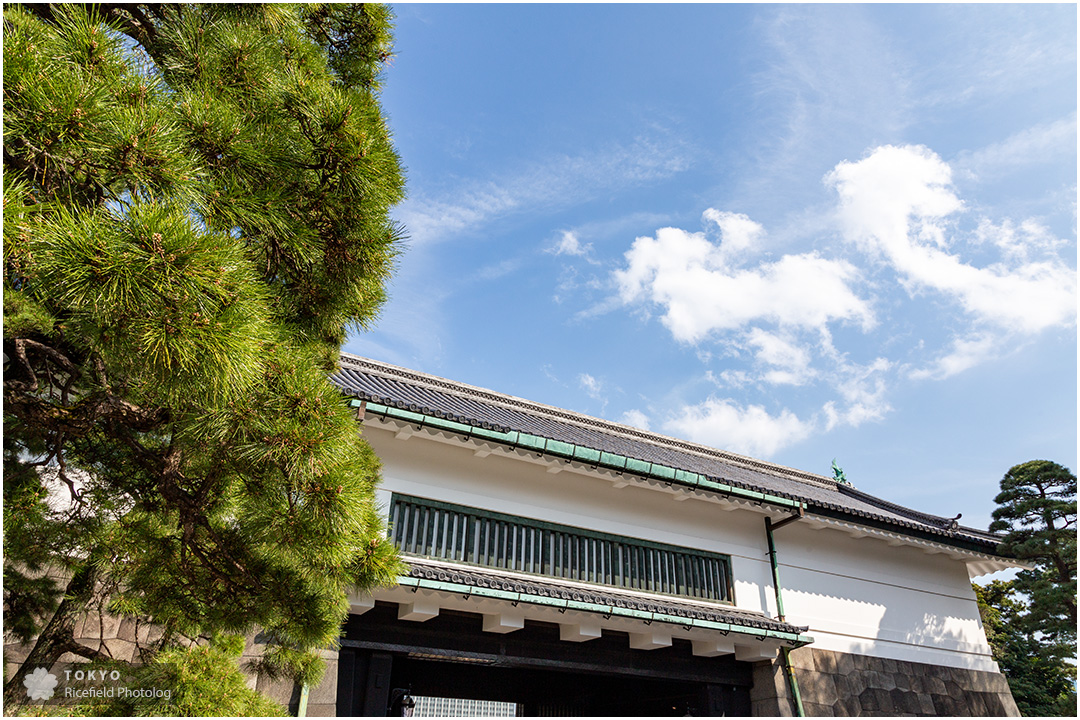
{"x":796,"y":233}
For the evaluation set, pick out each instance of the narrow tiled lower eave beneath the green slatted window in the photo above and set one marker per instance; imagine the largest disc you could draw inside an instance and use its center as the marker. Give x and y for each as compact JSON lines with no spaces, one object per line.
{"x":593,"y":595}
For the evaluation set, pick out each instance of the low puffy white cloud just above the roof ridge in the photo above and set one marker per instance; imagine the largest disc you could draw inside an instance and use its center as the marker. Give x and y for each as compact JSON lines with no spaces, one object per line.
{"x":749,"y":430}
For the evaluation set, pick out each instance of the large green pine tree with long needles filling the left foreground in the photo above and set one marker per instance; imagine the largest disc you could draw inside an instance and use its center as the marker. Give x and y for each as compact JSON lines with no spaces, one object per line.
{"x":196,"y":214}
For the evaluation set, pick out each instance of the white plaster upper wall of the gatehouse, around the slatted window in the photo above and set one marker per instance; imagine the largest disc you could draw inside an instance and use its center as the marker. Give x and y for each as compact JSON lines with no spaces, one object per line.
{"x":856,"y":595}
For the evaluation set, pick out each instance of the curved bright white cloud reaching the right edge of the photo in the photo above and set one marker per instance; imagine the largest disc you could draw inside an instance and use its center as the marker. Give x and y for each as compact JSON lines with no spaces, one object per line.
{"x":895,"y":205}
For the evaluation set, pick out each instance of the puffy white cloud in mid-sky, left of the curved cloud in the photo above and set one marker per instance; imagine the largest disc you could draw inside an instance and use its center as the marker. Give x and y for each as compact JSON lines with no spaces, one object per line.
{"x":703,"y":292}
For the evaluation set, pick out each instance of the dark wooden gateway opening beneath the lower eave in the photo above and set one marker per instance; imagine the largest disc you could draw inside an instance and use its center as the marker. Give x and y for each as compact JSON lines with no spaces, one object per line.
{"x":451,"y":657}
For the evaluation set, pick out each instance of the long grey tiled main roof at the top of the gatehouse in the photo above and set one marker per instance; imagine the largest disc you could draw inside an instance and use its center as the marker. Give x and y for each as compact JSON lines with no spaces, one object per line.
{"x":400,"y":388}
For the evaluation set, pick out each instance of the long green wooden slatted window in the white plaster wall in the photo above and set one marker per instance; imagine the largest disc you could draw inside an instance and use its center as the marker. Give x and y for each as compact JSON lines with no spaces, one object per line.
{"x":474,"y":537}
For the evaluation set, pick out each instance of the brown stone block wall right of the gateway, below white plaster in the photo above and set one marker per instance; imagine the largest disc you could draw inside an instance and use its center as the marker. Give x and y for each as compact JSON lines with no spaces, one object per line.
{"x":842,"y":685}
